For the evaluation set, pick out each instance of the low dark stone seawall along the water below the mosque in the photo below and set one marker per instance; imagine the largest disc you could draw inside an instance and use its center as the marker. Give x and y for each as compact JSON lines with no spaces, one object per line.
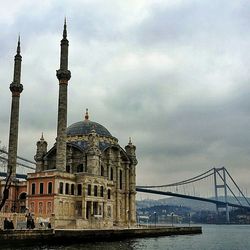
{"x":68,"y":236}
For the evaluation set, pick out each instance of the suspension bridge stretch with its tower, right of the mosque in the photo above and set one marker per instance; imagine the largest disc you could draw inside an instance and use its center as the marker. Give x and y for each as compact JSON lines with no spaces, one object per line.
{"x":221,"y":179}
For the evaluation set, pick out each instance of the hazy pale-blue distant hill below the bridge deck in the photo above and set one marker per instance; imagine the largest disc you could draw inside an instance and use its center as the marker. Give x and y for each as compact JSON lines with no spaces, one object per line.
{"x":193,"y":204}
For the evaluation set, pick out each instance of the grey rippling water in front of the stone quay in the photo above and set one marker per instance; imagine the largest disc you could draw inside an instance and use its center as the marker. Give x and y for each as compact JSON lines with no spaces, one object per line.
{"x":214,"y":237}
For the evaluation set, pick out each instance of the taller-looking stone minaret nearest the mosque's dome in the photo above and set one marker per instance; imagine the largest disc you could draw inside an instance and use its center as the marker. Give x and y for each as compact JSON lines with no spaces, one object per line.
{"x":63,"y":75}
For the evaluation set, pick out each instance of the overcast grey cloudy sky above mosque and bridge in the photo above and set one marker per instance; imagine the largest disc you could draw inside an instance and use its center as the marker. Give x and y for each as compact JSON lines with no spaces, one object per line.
{"x":173,"y":75}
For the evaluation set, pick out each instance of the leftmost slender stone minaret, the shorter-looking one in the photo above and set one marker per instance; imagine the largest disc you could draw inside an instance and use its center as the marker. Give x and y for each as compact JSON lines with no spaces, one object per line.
{"x":16,"y":89}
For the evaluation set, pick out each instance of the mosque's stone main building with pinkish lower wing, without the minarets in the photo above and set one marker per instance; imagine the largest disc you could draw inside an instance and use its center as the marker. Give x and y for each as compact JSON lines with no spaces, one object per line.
{"x":97,"y":188}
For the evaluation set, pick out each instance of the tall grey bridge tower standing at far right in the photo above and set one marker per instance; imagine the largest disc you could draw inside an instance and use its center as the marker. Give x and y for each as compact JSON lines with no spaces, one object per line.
{"x":221,"y":184}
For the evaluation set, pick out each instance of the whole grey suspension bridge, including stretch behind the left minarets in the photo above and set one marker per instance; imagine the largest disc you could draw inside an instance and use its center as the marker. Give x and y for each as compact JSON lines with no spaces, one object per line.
{"x":222,"y":184}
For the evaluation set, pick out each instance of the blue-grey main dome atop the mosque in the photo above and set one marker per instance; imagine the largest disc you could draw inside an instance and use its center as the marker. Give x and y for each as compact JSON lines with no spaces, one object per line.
{"x":85,"y":127}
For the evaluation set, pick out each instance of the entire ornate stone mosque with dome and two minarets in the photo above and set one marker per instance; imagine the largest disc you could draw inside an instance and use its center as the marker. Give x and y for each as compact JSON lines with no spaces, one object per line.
{"x":86,"y":180}
